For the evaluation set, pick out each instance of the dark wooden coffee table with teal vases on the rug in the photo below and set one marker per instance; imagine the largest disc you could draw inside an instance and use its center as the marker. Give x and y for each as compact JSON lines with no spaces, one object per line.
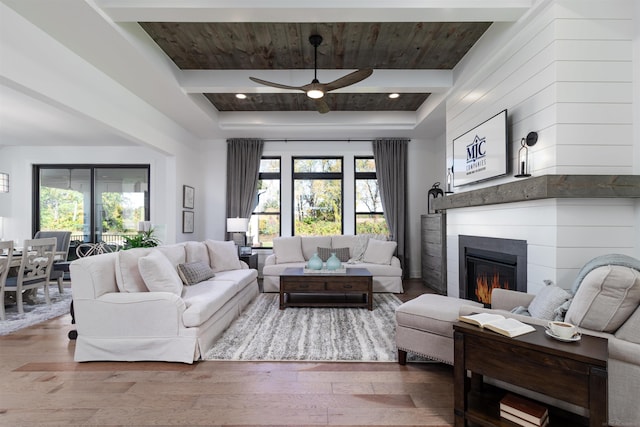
{"x":351,"y":289}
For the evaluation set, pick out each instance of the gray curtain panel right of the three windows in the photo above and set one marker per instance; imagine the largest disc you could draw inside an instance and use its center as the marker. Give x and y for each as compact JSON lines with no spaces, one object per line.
{"x":391,"y":170}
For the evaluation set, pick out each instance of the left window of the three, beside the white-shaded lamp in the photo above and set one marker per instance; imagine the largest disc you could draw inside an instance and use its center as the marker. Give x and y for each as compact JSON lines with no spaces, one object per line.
{"x":265,"y":220}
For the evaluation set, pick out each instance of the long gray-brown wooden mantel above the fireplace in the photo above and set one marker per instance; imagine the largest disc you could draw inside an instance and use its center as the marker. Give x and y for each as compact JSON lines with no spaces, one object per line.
{"x":545,"y":187}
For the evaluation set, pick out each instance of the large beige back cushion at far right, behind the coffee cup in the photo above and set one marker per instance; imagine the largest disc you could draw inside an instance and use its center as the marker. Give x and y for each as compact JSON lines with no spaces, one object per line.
{"x":606,"y":298}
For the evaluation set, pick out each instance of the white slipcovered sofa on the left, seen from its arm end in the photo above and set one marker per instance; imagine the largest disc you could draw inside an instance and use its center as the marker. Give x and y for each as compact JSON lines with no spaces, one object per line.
{"x":133,"y":305}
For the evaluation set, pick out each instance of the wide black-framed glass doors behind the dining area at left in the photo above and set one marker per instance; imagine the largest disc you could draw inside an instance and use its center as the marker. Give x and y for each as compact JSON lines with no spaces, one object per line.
{"x":95,"y":203}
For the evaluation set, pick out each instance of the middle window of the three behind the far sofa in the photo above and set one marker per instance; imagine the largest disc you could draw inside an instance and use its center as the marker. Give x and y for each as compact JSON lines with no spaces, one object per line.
{"x":317,"y":196}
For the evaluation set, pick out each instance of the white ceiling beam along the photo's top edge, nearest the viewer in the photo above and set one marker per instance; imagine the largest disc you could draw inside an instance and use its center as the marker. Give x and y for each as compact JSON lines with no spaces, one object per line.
{"x":325,"y":11}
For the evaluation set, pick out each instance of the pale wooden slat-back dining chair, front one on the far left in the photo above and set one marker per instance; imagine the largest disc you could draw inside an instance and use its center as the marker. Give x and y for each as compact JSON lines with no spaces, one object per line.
{"x":34,"y":271}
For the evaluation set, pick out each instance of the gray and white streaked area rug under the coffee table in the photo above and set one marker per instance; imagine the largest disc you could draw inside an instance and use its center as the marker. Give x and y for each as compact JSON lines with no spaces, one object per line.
{"x":263,"y":332}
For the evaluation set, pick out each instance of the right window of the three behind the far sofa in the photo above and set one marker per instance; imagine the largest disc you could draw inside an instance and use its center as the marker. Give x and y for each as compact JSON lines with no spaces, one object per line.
{"x":368,"y":205}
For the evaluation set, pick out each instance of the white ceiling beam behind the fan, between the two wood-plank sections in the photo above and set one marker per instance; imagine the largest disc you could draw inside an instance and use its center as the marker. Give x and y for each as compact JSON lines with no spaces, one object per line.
{"x":234,"y":81}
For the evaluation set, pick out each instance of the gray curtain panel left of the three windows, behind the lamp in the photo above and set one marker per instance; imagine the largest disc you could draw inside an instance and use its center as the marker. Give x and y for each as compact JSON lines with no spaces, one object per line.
{"x":243,"y":165}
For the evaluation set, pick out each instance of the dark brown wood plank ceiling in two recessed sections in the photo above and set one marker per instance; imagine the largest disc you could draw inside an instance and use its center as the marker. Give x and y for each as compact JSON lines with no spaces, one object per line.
{"x":283,"y":46}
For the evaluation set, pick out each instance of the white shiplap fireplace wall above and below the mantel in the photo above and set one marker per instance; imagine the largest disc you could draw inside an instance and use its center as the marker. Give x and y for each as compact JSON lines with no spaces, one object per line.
{"x":565,"y":71}
